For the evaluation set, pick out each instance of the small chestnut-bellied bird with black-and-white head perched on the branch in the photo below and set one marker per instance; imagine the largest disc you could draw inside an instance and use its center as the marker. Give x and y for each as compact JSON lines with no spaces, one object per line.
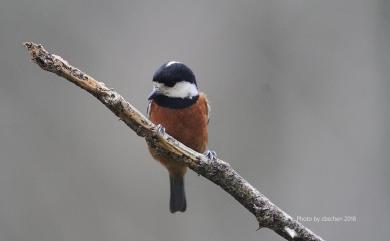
{"x":177,"y":106}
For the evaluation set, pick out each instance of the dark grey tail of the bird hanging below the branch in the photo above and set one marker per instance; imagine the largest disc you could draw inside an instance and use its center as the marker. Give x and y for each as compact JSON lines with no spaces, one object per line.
{"x":177,"y":201}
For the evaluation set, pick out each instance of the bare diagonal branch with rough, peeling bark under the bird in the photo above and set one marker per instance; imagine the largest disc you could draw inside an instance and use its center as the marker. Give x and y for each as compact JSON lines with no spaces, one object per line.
{"x":221,"y":173}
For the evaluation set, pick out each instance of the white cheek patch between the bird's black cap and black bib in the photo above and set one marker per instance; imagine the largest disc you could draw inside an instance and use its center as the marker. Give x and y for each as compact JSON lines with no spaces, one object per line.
{"x":182,"y":89}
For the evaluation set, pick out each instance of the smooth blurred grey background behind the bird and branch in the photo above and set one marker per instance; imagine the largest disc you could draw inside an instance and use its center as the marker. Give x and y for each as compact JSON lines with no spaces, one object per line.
{"x":300,"y":107}
